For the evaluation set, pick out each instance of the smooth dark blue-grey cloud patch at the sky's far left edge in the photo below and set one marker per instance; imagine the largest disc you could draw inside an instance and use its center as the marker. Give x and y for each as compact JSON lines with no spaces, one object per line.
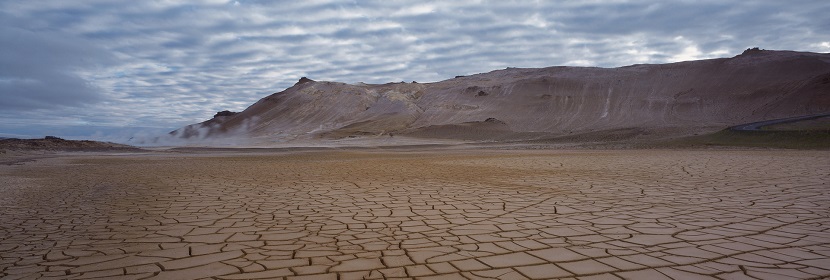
{"x":41,"y":70}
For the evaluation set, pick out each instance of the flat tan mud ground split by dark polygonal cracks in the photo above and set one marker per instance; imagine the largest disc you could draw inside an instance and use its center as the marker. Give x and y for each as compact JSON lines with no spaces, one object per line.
{"x":424,"y":215}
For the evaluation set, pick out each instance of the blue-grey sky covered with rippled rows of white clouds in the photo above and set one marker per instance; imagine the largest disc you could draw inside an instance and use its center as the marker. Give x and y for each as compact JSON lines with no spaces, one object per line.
{"x":111,"y":70}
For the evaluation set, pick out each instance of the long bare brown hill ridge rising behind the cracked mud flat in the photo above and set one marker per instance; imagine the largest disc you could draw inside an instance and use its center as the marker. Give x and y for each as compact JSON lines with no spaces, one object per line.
{"x":669,"y":99}
